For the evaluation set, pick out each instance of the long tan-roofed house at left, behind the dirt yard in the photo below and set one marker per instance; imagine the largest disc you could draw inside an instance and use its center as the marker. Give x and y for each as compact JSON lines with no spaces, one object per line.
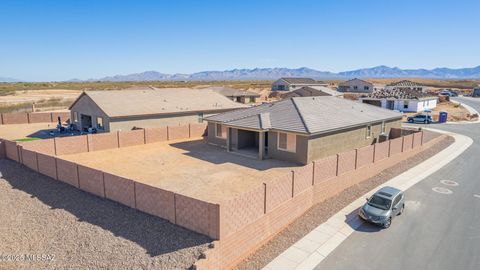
{"x":125,"y":109}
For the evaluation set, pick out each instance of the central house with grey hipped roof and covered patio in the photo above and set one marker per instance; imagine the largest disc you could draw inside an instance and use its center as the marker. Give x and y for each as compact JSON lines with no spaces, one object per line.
{"x":301,"y":129}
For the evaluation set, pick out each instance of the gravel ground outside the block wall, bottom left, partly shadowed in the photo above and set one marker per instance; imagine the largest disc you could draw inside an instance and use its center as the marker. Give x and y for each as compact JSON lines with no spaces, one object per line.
{"x":40,"y":216}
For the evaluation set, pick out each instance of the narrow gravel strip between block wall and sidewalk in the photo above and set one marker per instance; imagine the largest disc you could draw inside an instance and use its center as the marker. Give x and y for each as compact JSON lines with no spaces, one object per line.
{"x":322,"y":211}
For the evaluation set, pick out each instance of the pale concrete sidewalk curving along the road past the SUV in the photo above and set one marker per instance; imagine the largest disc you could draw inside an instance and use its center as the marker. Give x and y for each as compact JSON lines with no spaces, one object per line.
{"x":309,"y":251}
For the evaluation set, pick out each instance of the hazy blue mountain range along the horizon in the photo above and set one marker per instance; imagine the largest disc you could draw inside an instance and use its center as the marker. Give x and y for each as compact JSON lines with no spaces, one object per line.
{"x":275,"y":73}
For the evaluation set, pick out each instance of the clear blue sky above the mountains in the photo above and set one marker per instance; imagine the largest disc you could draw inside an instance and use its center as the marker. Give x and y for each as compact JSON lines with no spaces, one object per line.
{"x":60,"y":40}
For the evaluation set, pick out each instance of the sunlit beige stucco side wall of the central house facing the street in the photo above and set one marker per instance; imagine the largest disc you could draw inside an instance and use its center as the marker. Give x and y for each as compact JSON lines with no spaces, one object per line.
{"x":332,"y":143}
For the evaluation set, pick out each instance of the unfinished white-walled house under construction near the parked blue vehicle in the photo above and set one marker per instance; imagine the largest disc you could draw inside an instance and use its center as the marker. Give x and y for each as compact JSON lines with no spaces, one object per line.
{"x":404,"y":100}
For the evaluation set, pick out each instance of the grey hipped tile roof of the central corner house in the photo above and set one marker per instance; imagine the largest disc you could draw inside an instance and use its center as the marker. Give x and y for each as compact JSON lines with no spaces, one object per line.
{"x":307,"y":115}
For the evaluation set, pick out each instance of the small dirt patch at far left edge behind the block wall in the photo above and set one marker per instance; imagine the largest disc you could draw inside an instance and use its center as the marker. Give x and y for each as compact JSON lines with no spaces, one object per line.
{"x":22,"y":131}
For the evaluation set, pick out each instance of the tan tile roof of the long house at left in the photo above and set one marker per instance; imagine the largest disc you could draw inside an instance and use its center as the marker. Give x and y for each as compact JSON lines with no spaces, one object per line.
{"x":122,"y":103}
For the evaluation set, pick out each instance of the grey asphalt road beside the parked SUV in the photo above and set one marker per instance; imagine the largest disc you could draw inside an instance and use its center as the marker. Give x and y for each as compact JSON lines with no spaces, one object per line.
{"x":437,"y":231}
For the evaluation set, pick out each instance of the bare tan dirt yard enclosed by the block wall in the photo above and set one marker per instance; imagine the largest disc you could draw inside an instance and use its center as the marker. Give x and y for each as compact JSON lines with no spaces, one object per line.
{"x":192,"y":168}
